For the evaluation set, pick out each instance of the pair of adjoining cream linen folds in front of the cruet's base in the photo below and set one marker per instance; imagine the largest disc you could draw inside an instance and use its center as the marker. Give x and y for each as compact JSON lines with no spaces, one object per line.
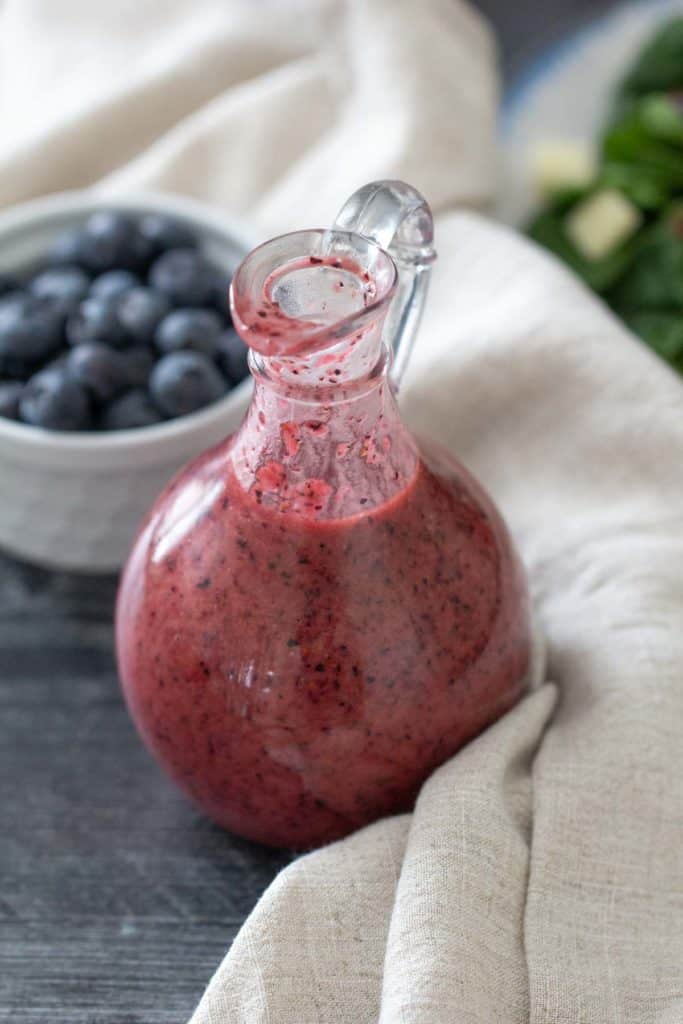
{"x":413,"y":920}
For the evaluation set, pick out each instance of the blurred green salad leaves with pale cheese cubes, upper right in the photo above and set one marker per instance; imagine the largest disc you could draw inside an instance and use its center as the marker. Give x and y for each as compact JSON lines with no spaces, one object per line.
{"x":622,"y":230}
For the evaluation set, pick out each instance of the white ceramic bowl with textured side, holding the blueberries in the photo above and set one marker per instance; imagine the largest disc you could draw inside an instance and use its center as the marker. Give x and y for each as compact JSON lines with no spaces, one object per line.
{"x":75,"y":501}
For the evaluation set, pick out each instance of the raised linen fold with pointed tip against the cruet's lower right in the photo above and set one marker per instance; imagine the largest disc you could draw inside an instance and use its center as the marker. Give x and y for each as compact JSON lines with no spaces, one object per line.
{"x":455,"y":950}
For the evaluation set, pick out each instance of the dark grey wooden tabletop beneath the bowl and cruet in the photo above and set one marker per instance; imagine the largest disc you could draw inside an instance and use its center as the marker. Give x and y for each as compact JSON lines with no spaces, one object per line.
{"x":117,"y":899}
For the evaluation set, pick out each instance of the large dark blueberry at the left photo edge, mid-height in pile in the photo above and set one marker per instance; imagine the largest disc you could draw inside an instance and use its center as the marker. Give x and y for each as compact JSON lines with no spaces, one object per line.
{"x":31,"y":327}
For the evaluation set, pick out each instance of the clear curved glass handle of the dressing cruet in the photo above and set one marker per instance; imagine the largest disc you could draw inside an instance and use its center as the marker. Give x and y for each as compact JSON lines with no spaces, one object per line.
{"x":397,"y":218}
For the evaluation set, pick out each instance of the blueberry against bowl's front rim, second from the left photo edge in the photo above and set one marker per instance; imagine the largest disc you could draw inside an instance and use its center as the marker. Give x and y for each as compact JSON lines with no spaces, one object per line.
{"x":54,"y":401}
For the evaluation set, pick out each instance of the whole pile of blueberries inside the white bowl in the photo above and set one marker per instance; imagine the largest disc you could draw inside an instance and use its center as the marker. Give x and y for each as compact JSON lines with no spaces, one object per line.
{"x":125,"y":324}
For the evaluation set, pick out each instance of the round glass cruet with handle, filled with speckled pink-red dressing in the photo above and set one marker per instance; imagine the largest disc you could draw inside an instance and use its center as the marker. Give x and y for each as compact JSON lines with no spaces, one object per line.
{"x":321,"y":610}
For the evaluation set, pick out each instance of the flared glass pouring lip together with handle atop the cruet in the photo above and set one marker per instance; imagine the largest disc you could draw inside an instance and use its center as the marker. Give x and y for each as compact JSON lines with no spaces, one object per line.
{"x":340,"y":295}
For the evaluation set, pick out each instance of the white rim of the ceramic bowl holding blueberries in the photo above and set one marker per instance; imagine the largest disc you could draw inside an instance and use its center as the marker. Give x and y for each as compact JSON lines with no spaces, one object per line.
{"x":59,"y":207}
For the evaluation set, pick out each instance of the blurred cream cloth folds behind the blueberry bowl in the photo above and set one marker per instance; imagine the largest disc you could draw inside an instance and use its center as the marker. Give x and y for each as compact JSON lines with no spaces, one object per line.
{"x":266,"y":110}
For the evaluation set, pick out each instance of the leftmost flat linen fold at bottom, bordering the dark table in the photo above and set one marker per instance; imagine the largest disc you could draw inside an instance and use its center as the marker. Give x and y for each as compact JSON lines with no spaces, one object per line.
{"x":329,"y":911}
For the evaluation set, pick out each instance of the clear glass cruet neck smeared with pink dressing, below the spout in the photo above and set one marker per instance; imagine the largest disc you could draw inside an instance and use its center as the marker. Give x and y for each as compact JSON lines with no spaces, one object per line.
{"x":325,"y":450}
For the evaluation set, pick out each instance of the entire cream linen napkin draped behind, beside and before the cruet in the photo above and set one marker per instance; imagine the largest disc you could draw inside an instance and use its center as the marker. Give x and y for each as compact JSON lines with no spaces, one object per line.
{"x":541,"y":877}
